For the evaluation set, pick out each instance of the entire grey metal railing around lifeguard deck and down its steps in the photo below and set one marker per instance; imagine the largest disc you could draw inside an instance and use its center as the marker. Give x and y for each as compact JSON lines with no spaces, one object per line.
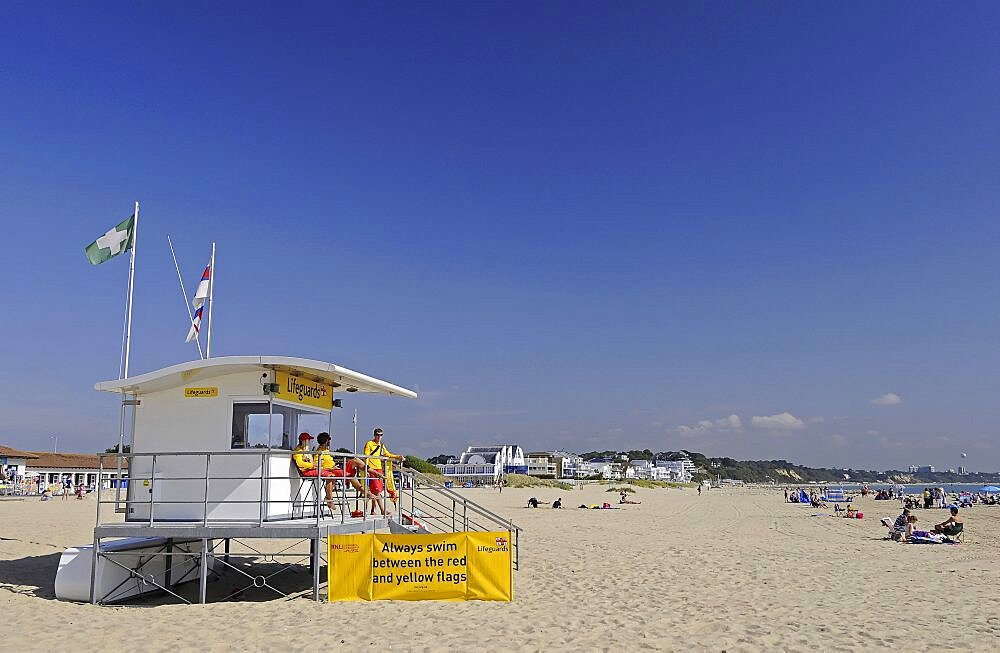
{"x":430,"y":503}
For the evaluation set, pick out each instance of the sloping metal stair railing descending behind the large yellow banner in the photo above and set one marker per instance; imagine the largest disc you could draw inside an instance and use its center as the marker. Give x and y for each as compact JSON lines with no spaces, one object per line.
{"x":440,"y":509}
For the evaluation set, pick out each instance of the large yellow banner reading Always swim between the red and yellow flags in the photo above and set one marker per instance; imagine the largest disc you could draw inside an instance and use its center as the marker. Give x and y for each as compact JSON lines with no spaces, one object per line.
{"x":444,"y":567}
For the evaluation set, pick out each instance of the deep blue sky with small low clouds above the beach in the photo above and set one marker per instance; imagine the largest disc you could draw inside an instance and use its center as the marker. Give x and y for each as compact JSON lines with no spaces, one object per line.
{"x":573,"y":225}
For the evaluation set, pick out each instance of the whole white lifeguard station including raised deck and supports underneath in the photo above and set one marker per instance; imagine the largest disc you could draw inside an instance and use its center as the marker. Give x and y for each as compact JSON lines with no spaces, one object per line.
{"x":210,"y":461}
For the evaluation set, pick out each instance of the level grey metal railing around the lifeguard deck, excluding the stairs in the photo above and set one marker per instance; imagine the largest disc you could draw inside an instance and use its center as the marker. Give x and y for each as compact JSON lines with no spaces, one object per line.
{"x":306,"y":494}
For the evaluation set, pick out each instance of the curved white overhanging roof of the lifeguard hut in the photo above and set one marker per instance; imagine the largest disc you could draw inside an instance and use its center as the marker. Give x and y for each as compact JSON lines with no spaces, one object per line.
{"x":194,"y":371}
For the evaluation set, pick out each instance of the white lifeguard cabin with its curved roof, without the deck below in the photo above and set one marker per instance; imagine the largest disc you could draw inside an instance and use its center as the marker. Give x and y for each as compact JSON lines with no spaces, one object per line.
{"x":253,"y":405}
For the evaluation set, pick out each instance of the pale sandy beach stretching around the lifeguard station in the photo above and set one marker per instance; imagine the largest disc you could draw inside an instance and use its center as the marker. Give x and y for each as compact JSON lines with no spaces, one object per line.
{"x":733,"y":570}
